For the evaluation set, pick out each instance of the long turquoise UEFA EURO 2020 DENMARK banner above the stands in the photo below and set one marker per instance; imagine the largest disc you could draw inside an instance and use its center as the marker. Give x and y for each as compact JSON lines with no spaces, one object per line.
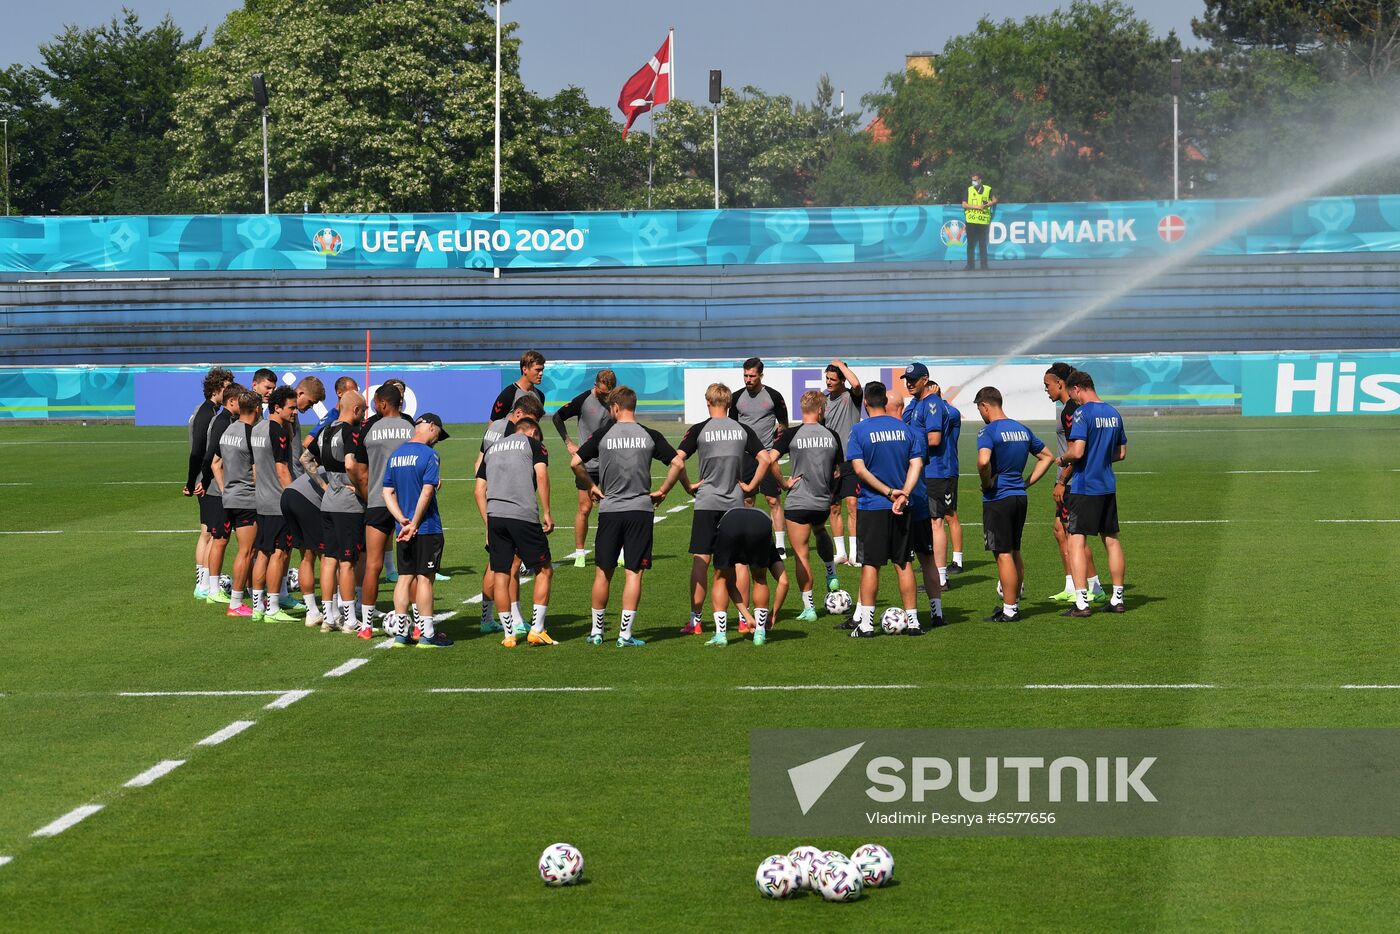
{"x":932,"y":233}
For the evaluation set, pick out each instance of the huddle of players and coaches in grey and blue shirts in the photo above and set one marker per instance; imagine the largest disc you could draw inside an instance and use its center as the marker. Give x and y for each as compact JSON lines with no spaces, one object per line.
{"x":877,"y":464}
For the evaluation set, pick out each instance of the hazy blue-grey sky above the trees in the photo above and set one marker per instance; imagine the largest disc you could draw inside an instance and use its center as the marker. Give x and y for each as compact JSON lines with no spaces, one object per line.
{"x":780,"y":47}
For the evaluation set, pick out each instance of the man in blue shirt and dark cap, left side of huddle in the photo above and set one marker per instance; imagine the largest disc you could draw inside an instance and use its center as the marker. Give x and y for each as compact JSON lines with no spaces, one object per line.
{"x":411,"y":484}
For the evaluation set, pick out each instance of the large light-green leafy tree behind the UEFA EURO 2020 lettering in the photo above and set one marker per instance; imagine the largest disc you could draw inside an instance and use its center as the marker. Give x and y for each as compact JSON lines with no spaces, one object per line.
{"x":376,"y":107}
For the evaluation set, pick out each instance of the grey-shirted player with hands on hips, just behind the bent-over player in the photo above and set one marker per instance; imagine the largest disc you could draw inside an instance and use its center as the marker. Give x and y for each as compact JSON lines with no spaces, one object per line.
{"x":723,"y":446}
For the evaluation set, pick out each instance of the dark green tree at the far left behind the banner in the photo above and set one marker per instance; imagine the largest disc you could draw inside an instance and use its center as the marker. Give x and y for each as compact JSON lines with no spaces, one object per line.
{"x":89,"y":125}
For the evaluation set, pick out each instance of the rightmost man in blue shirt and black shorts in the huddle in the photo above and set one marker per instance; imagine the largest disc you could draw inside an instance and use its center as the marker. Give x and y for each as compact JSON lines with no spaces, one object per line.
{"x":1097,"y":443}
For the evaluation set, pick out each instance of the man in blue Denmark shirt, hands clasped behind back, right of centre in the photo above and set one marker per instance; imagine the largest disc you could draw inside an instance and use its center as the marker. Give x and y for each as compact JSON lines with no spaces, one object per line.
{"x":888,"y":460}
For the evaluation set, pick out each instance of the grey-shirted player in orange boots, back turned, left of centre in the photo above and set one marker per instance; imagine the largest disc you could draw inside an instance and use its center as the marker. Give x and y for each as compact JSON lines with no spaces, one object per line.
{"x":513,"y":498}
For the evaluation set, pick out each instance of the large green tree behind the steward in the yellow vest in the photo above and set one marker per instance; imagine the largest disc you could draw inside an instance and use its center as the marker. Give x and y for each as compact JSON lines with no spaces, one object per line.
{"x":1065,"y":107}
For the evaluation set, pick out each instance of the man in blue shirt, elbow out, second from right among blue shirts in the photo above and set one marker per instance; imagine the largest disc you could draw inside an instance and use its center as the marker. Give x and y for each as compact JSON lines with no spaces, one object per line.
{"x":1003,"y":450}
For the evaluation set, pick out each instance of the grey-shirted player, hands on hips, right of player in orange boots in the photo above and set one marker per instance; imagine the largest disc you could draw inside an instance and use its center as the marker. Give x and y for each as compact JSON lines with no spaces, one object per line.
{"x":626,"y":505}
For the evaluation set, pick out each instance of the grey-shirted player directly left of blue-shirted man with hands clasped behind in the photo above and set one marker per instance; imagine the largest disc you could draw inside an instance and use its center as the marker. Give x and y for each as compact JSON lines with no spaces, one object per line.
{"x":815,"y":454}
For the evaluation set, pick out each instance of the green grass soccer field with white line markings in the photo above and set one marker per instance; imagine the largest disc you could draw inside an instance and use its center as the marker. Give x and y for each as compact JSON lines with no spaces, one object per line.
{"x":1261,"y":576}
